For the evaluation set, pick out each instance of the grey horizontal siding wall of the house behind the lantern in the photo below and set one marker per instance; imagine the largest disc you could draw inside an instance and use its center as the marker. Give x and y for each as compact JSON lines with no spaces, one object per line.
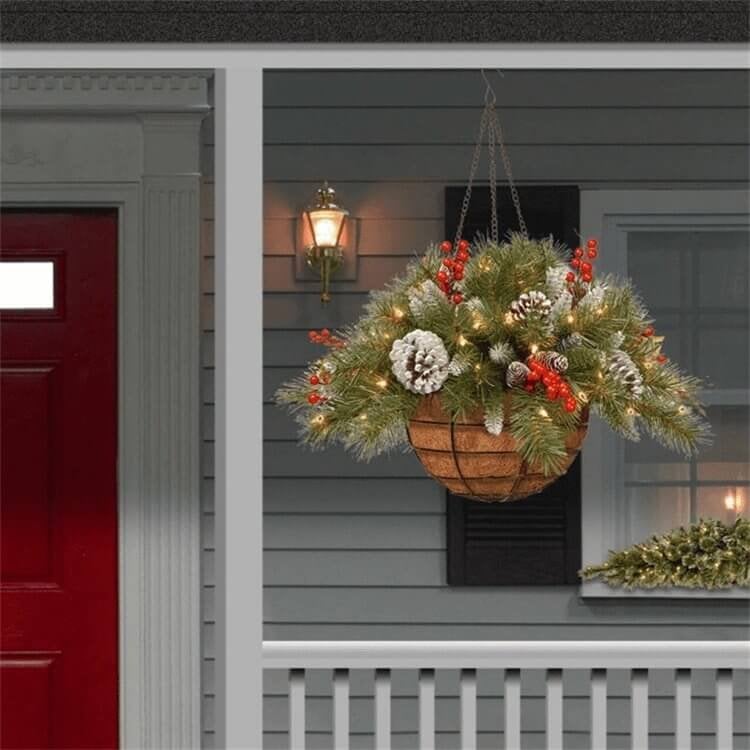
{"x":357,"y":551}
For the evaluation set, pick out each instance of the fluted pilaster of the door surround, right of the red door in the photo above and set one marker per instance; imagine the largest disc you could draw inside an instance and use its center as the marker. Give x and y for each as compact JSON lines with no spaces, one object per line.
{"x":171,"y":432}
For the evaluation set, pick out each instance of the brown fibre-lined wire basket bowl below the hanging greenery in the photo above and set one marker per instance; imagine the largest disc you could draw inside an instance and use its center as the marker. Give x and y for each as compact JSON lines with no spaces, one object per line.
{"x":471,"y":462}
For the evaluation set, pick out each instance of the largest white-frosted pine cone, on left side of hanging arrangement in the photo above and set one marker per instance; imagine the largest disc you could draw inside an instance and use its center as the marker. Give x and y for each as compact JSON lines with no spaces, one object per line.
{"x":420,"y":361}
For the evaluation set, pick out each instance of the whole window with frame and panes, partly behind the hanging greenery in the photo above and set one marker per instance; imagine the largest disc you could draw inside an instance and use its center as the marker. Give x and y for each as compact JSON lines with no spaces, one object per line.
{"x":688,"y":254}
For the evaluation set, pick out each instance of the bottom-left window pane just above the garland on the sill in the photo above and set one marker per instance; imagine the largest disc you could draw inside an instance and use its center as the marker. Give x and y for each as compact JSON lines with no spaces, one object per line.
{"x":654,"y":510}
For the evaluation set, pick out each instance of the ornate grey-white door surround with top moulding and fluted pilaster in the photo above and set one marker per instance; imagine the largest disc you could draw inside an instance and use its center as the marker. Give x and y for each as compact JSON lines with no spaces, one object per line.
{"x":158,"y":357}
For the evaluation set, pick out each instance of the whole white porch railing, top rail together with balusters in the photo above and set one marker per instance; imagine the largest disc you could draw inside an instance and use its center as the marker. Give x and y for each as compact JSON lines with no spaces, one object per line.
{"x":511,"y":656}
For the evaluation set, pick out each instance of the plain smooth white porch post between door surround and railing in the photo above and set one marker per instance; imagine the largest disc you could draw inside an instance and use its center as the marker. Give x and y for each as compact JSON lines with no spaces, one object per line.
{"x":239,"y":505}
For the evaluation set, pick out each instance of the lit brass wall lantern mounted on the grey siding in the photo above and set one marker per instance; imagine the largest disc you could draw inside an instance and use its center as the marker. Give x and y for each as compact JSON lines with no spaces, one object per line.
{"x":324,"y":234}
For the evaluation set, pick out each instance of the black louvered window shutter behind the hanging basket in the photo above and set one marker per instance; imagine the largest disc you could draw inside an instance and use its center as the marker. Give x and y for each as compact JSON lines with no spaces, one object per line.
{"x":535,"y":541}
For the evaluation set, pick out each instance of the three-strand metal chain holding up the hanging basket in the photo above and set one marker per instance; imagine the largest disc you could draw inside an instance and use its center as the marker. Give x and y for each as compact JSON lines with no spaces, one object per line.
{"x":491,"y":123}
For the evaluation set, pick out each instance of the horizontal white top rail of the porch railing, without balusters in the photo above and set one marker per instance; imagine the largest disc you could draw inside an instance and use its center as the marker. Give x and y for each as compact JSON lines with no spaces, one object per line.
{"x":506,"y":654}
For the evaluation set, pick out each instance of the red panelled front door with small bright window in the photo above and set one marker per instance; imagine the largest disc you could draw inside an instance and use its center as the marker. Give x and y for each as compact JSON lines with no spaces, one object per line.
{"x":58,"y":501}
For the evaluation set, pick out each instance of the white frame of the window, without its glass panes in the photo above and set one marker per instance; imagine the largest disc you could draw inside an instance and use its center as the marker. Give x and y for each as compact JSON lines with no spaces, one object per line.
{"x":610,"y":215}
